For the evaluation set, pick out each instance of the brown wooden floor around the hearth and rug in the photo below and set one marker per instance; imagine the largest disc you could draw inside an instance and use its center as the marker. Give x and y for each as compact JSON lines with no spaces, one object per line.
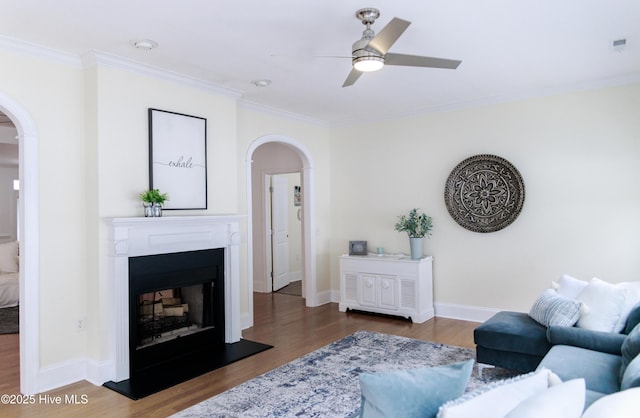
{"x":280,"y":320}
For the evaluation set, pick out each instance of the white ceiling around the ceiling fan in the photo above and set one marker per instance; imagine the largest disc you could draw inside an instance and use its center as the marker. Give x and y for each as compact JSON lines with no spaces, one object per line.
{"x":509,"y":49}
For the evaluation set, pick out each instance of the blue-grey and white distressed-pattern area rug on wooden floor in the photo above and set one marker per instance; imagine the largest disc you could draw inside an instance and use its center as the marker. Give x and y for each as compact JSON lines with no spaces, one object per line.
{"x":324,"y":383}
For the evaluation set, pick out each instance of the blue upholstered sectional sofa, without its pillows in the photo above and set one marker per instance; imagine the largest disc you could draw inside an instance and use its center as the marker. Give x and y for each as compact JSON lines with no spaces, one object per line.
{"x":608,"y":362}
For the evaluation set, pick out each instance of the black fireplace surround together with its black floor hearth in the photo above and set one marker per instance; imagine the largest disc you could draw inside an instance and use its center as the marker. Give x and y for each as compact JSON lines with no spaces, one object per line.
{"x":157,"y":366}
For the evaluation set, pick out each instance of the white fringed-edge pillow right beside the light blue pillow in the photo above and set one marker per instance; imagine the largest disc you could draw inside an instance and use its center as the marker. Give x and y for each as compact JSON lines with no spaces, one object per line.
{"x":495,"y":400}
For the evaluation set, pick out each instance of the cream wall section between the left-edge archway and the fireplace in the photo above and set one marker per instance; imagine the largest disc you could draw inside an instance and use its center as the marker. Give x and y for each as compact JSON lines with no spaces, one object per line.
{"x":52,"y":93}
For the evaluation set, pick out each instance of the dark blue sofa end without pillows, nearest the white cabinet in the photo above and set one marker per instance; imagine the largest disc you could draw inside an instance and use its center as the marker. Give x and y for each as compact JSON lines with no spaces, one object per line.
{"x":513,"y":332}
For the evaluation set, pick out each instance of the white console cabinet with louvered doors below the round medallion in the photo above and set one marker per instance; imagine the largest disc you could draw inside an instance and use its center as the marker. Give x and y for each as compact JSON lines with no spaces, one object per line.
{"x":388,"y":284}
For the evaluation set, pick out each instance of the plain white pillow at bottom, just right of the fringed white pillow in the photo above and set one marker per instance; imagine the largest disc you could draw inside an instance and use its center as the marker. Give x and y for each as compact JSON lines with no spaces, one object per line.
{"x":562,"y":401}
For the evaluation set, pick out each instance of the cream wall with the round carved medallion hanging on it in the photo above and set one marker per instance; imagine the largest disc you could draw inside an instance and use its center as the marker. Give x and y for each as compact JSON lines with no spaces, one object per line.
{"x":579,"y":155}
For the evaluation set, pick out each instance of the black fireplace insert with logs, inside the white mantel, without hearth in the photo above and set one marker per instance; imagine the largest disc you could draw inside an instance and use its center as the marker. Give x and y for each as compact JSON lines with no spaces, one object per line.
{"x":176,"y":308}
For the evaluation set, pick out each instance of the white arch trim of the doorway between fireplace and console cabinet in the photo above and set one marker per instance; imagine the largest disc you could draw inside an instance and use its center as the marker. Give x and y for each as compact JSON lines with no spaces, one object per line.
{"x":308,"y":216}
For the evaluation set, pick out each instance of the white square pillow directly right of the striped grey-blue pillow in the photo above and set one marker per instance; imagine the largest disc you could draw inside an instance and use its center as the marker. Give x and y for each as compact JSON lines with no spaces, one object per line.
{"x":603,"y":302}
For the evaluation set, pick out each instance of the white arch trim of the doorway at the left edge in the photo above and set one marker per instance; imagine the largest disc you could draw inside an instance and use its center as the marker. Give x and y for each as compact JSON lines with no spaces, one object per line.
{"x":28,"y":227}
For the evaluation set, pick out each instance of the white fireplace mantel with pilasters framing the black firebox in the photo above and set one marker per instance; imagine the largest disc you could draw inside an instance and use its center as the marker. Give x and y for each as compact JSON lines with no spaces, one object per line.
{"x":132,"y":237}
